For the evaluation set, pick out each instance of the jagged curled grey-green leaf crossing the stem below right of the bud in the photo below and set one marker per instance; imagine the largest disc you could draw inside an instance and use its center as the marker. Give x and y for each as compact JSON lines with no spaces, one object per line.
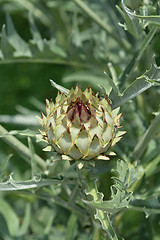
{"x":120,"y":191}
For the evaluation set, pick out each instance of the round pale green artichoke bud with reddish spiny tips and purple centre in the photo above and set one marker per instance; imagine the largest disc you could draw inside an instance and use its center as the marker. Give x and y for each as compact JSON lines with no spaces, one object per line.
{"x":81,"y":126}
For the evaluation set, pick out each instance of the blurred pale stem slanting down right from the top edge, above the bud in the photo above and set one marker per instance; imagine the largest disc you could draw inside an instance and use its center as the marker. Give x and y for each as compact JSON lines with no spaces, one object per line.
{"x":103,"y":25}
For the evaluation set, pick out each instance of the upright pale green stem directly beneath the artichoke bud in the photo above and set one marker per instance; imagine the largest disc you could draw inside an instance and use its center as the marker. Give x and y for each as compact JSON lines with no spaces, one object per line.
{"x":89,"y":184}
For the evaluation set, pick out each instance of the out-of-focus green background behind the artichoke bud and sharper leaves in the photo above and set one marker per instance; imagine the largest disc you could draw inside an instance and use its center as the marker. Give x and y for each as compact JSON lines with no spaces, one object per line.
{"x":62,"y":42}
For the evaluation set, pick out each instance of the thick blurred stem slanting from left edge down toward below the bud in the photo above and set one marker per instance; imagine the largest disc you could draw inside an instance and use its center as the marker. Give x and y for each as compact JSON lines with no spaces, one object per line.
{"x":20,"y":147}
